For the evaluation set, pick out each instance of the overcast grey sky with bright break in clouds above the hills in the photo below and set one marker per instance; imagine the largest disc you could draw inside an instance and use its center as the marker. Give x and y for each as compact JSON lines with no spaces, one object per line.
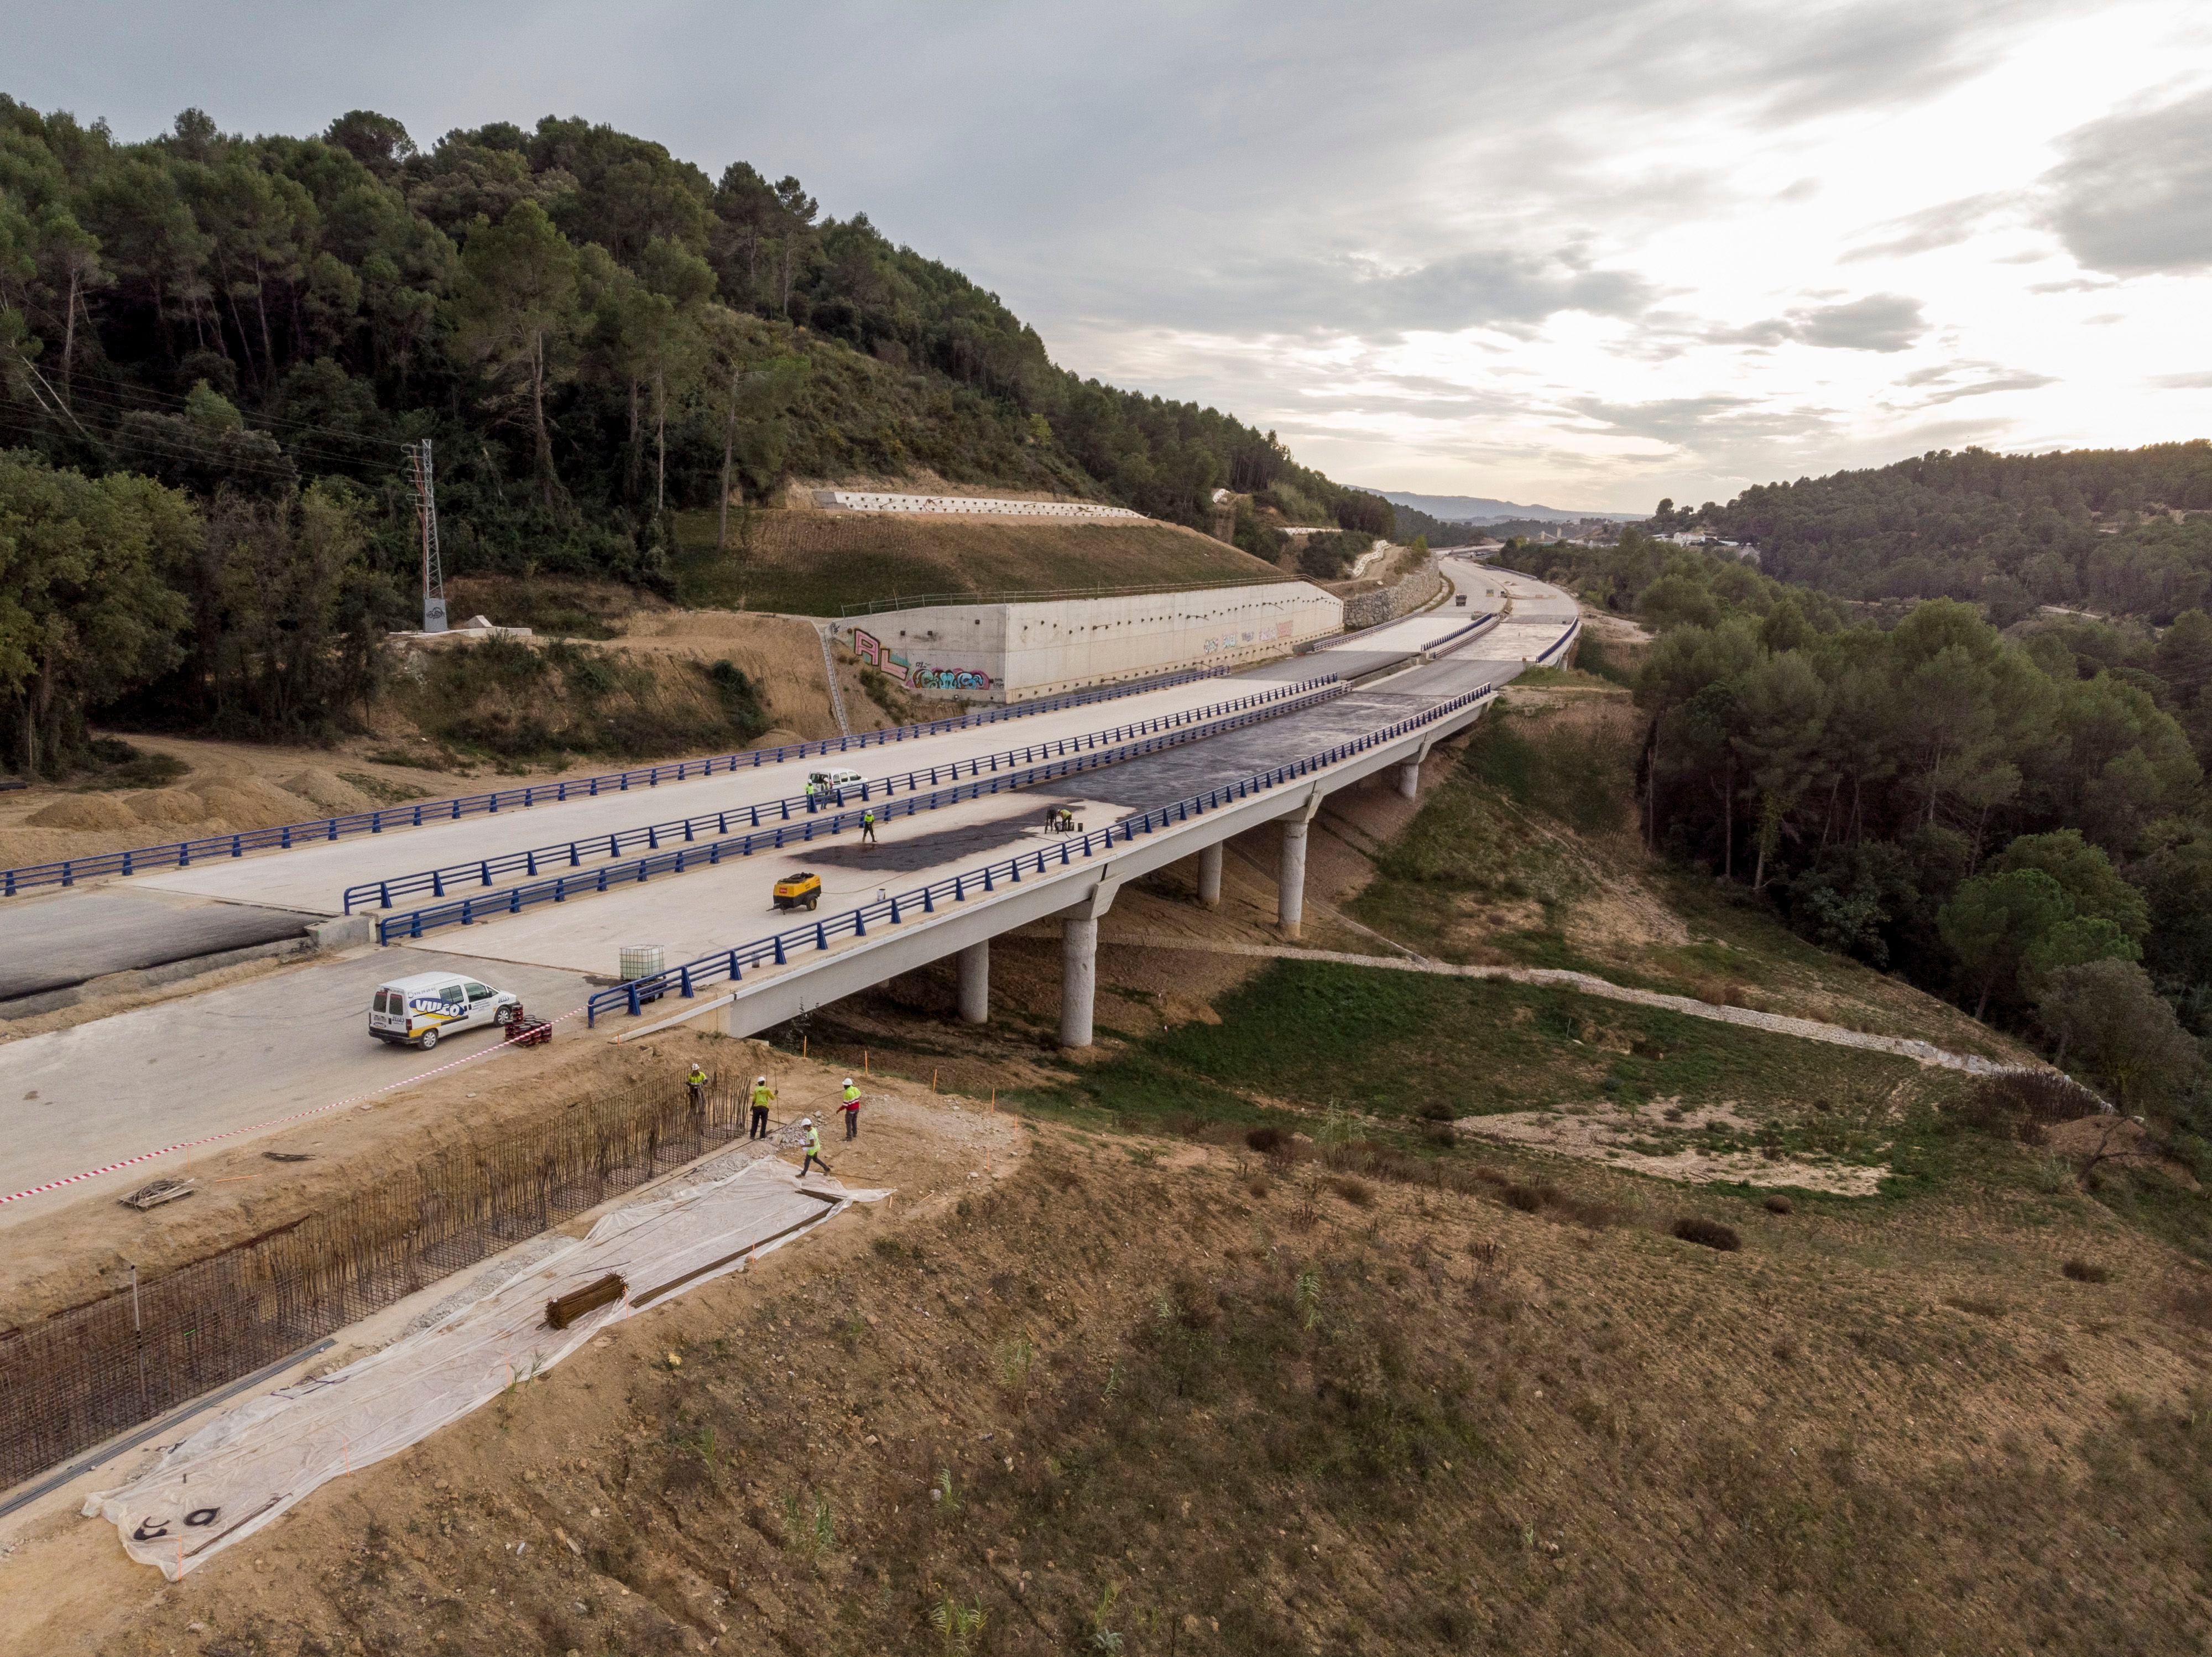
{"x":1569,"y":251}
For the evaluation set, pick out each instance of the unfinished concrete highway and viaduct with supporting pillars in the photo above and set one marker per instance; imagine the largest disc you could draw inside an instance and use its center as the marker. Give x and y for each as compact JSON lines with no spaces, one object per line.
{"x":1149,"y":778}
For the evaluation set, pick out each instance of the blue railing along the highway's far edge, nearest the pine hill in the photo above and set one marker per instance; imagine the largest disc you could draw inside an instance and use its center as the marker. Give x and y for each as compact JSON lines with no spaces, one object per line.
{"x":178,"y":855}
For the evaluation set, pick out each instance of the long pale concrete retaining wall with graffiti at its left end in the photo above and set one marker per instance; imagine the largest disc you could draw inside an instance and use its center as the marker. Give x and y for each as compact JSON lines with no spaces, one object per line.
{"x":1021,"y":652}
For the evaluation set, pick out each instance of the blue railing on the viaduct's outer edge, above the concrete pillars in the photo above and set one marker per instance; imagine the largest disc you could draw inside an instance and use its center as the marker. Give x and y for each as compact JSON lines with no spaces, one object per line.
{"x":729,"y":966}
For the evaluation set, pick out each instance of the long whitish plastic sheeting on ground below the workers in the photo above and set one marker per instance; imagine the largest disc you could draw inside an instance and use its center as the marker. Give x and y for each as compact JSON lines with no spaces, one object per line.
{"x":253,"y":1463}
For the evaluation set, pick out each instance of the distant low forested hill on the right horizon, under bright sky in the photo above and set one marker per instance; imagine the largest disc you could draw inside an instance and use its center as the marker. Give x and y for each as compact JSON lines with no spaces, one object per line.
{"x":2120,"y":532}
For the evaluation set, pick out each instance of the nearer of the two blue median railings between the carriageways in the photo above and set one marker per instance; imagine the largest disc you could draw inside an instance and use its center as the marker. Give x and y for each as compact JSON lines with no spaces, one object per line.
{"x":806,"y":828}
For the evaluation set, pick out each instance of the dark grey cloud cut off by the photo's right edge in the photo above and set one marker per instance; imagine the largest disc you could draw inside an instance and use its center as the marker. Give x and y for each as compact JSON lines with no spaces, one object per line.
{"x":2133,"y":194}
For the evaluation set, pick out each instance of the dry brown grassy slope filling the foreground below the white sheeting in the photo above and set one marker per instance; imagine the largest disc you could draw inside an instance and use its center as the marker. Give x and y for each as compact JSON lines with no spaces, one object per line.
{"x":1158,"y":1406}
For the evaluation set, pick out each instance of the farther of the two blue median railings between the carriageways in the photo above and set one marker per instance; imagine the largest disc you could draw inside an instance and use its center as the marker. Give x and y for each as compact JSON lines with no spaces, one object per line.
{"x":532,"y":862}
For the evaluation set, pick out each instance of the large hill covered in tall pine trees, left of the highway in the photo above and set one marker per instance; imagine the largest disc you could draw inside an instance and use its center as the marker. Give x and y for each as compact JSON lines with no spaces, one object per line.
{"x":213,"y":351}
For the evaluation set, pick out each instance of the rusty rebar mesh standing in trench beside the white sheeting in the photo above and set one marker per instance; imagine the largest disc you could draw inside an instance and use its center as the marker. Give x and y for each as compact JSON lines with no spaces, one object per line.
{"x":83,"y":1377}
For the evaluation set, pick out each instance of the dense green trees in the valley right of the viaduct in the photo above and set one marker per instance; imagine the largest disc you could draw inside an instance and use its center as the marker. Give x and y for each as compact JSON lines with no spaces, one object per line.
{"x":2012,"y":820}
